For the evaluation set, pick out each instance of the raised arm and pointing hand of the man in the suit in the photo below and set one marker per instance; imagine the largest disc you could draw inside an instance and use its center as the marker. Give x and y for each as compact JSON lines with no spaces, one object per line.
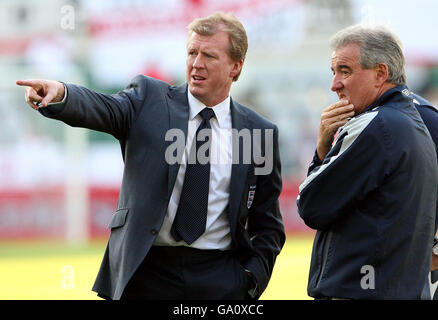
{"x":113,"y":114}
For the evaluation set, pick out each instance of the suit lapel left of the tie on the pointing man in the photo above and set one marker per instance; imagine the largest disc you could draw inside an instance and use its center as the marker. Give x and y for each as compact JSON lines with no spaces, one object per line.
{"x":178,"y":119}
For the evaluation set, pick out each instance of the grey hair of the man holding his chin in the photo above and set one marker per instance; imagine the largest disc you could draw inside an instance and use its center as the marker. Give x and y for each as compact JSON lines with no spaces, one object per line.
{"x":377,"y":45}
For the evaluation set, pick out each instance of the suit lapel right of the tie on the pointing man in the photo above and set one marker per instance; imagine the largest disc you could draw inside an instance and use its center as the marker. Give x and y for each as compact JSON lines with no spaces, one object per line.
{"x":239,"y":170}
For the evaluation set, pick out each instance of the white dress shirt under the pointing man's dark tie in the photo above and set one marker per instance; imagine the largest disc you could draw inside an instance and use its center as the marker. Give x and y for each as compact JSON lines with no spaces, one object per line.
{"x":217,"y":233}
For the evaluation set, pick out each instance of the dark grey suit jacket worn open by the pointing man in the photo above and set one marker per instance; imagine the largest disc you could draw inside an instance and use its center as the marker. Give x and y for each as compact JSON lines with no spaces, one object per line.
{"x":139,"y":118}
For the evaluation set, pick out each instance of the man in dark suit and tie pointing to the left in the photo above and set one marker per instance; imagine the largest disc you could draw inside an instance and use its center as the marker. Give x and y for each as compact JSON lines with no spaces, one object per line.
{"x":184,"y":229}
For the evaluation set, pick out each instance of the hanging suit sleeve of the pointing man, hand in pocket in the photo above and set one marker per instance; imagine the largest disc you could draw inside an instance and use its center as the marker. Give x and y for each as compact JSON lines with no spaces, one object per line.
{"x":265,"y":224}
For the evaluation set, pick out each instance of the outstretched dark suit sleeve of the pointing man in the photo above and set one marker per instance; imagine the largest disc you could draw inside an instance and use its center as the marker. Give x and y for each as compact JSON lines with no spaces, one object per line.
{"x":113,"y":114}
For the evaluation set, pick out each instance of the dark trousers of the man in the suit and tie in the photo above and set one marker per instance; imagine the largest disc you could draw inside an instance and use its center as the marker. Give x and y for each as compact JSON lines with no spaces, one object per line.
{"x":184,"y":273}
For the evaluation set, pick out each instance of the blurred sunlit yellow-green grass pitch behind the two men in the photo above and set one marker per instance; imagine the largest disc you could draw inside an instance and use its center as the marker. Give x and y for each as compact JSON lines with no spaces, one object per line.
{"x":55,"y":271}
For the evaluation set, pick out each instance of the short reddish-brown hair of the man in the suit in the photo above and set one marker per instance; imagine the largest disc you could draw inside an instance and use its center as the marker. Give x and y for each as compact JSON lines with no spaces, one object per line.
{"x":227,"y":22}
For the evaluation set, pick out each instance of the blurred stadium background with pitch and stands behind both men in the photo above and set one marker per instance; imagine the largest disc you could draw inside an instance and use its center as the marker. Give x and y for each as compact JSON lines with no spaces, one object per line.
{"x":59,"y":186}
